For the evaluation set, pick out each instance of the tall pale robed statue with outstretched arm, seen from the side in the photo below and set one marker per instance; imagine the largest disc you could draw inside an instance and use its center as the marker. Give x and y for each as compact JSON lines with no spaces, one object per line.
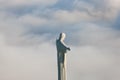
{"x":61,"y":56}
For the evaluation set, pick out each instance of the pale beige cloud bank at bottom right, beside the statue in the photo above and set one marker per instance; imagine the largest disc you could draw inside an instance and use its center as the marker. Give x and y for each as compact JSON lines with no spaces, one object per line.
{"x":92,"y":63}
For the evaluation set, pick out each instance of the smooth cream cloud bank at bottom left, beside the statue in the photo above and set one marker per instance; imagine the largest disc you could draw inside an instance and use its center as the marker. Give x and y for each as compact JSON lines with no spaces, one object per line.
{"x":27,"y":62}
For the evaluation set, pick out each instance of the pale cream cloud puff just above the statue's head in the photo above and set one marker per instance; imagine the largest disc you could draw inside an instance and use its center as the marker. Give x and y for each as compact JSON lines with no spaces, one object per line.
{"x":64,"y":16}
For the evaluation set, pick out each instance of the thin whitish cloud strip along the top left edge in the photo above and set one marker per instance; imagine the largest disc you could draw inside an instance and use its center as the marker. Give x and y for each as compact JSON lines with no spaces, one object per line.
{"x":23,"y":3}
